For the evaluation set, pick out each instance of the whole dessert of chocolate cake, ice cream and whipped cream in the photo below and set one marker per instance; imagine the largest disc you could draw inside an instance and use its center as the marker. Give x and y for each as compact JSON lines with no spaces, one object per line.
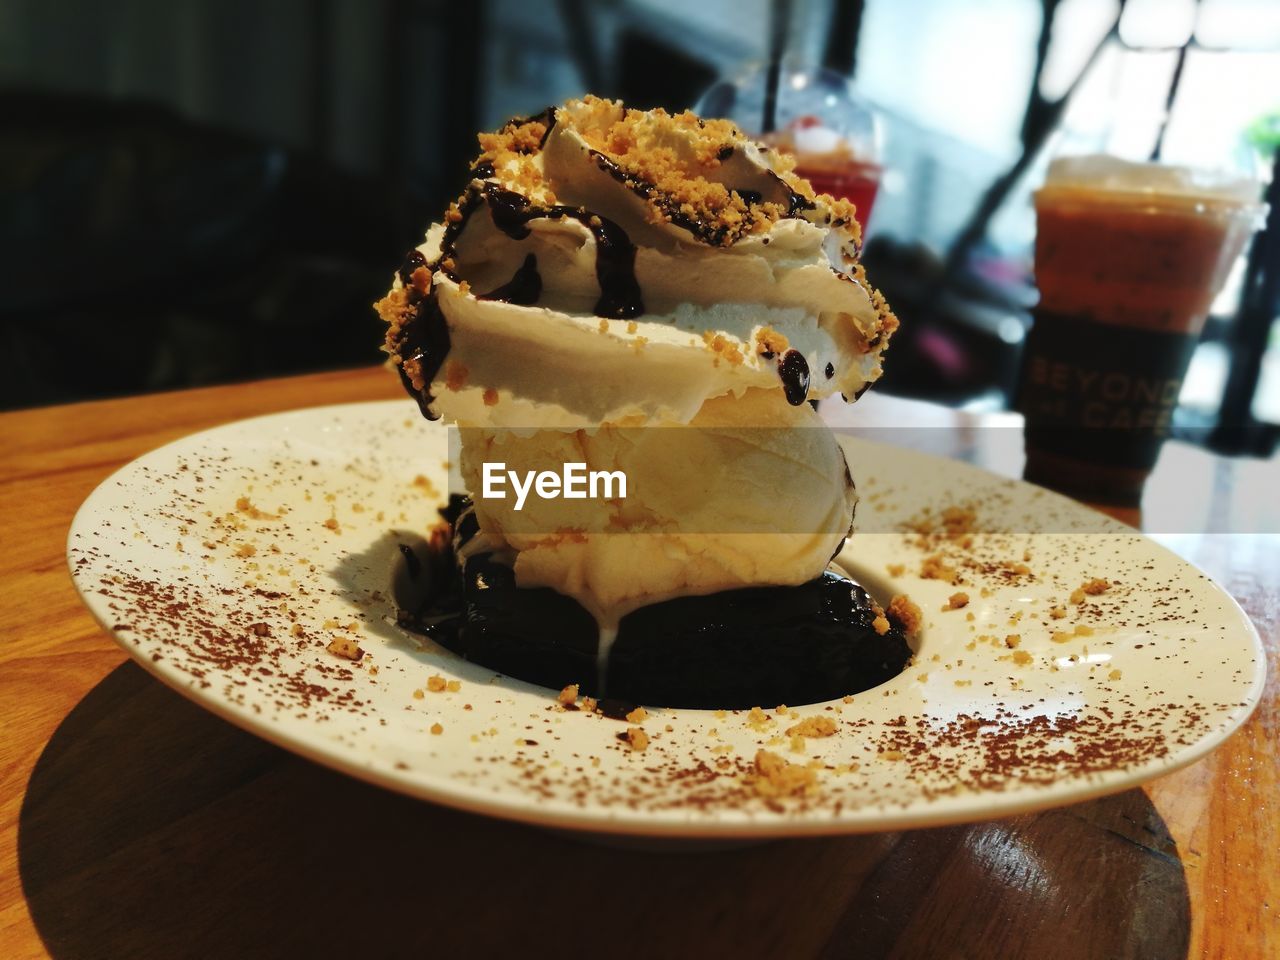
{"x":653,"y":298}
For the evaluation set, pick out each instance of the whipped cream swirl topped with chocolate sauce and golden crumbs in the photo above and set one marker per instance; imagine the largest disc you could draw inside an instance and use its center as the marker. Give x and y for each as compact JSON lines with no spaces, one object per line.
{"x":611,"y":266}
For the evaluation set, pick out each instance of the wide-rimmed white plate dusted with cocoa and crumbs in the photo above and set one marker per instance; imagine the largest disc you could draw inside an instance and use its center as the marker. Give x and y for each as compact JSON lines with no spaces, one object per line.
{"x":234,"y":606}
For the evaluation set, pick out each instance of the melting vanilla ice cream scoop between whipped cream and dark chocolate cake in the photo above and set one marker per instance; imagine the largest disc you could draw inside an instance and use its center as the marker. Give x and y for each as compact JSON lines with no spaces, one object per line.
{"x":751,"y":492}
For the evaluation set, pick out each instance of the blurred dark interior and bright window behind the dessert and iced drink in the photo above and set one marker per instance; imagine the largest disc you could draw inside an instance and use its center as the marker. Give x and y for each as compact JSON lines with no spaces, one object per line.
{"x":202,"y":191}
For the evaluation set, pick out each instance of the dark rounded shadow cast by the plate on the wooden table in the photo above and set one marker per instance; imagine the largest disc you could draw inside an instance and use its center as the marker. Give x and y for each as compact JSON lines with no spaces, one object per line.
{"x":152,"y":829}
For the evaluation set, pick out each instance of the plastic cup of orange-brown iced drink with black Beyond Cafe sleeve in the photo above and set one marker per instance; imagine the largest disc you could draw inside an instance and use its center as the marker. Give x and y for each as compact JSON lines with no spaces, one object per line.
{"x":1128,"y":260}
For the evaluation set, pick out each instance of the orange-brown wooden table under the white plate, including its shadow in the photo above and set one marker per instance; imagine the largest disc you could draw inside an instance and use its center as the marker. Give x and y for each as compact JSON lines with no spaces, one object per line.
{"x":136,"y":825}
